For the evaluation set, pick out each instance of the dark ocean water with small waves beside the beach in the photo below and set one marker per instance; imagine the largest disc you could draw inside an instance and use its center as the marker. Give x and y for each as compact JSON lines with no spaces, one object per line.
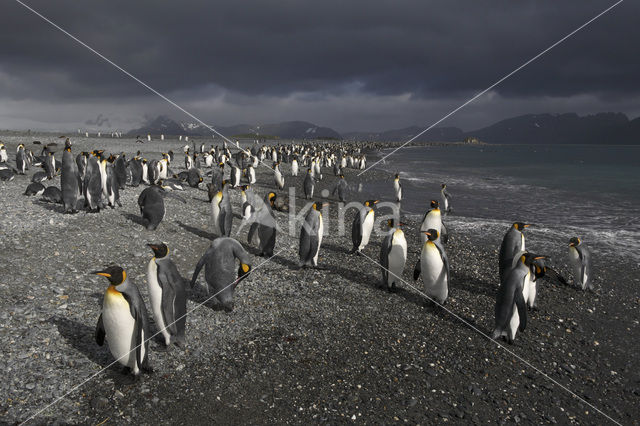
{"x":583,"y":190}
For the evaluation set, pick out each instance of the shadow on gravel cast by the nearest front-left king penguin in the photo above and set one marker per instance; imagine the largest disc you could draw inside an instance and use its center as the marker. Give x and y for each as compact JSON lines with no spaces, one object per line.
{"x":81,"y":337}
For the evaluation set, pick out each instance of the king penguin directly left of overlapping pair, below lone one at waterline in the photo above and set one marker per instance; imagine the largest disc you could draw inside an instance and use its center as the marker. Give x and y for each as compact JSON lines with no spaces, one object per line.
{"x":393,"y":256}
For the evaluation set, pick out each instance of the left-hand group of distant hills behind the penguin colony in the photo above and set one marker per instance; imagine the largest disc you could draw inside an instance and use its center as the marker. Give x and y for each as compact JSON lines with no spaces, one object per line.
{"x":286,"y":130}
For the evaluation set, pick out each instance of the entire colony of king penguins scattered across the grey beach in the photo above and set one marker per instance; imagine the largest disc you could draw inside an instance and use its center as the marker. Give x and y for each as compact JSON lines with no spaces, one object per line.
{"x":93,"y":180}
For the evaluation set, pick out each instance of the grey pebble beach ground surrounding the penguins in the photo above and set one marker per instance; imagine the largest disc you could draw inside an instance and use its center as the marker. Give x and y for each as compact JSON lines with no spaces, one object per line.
{"x":311,"y":345}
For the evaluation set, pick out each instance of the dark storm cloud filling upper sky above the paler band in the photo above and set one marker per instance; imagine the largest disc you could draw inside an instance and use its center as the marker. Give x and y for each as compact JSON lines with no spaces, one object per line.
{"x":429,"y":50}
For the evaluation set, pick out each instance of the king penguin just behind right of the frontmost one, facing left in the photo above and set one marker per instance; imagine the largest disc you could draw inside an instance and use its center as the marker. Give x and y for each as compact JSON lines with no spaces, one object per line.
{"x":167,"y":295}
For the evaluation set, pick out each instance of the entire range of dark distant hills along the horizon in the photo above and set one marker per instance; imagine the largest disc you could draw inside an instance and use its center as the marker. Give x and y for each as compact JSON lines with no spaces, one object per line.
{"x":570,"y":128}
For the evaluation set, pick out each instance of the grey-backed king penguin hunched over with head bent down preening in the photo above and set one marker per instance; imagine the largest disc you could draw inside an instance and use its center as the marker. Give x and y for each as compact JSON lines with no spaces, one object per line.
{"x":220,"y":272}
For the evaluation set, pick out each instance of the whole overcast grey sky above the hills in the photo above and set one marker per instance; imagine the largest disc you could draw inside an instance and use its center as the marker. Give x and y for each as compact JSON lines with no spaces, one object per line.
{"x":349,"y":65}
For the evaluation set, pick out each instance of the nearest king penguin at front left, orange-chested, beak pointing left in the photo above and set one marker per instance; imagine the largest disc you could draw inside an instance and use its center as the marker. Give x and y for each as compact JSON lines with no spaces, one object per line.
{"x":123,"y":322}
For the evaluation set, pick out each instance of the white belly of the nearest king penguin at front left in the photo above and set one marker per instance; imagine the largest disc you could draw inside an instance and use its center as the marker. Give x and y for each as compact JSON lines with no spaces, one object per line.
{"x":119,"y":327}
